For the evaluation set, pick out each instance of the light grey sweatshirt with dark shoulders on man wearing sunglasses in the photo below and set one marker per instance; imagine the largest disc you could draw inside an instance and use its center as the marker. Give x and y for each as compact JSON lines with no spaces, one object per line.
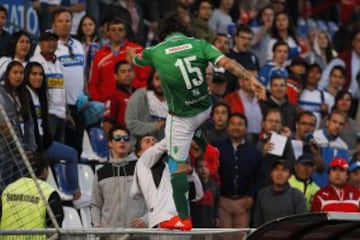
{"x":111,"y":204}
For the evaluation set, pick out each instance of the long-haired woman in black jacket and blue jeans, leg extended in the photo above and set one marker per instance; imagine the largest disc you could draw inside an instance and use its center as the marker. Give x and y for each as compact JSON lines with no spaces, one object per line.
{"x":56,"y":151}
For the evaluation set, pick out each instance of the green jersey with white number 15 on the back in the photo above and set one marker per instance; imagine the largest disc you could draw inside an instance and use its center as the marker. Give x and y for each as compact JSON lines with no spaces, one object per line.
{"x":181,"y":63}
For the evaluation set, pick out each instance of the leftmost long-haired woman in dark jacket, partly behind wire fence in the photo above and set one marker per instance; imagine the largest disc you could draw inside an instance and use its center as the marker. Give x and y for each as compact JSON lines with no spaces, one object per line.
{"x":15,"y":101}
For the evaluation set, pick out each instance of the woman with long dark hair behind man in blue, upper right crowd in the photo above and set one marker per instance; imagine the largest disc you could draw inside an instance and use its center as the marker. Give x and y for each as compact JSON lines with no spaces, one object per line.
{"x":283,"y":29}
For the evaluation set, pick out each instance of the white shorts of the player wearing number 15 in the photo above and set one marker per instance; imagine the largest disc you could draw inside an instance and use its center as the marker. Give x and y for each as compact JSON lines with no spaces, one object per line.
{"x":179,"y":132}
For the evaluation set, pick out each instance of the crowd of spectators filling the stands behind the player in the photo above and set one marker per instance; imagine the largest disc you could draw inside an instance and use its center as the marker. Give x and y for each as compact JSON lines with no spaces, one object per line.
{"x":297,"y":151}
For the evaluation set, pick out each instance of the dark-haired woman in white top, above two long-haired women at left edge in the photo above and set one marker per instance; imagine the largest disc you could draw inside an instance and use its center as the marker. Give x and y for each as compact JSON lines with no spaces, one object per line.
{"x":17,"y":49}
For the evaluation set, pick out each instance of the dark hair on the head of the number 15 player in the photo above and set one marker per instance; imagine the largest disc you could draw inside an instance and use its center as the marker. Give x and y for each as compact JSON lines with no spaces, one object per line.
{"x":172,"y":23}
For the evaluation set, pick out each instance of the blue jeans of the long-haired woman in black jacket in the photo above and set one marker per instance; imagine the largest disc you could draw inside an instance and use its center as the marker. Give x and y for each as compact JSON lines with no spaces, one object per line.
{"x":60,"y":152}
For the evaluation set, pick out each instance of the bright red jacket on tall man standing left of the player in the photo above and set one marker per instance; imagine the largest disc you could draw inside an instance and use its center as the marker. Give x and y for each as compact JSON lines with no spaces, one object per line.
{"x":102,"y":81}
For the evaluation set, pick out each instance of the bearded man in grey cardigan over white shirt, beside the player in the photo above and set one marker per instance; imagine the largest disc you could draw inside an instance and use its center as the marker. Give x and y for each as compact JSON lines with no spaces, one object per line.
{"x":147,"y":110}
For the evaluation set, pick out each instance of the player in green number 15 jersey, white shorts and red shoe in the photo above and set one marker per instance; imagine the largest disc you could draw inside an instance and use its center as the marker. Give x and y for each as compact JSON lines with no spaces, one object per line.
{"x":181,"y":63}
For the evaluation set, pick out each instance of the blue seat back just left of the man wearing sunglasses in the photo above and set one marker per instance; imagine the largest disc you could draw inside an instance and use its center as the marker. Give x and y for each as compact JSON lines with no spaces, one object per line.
{"x":99,"y":142}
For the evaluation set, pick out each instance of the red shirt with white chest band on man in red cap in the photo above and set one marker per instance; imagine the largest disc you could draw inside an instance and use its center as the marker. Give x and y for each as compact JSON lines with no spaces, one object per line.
{"x":327,"y":200}
